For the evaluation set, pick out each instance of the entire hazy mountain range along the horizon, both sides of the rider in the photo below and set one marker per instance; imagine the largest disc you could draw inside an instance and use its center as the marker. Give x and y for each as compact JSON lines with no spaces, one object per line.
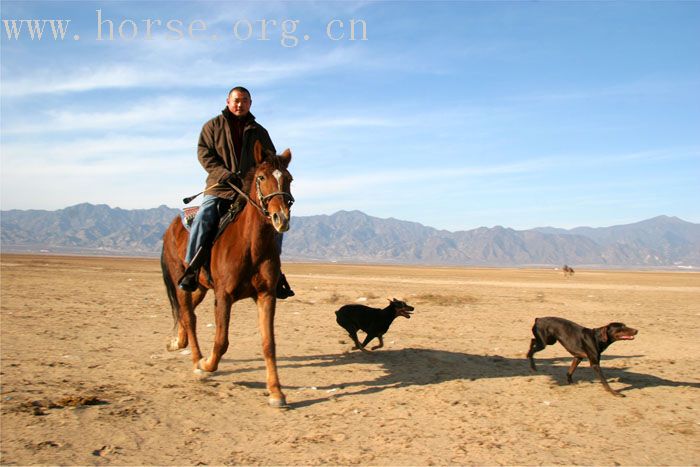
{"x":352,"y":236}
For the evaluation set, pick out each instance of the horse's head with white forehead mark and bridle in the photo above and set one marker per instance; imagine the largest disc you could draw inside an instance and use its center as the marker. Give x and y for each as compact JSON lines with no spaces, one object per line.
{"x":271,"y":186}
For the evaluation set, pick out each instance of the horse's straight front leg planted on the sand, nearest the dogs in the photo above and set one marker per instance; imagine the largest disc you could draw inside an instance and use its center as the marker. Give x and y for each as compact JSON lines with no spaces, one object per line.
{"x":266,"y":317}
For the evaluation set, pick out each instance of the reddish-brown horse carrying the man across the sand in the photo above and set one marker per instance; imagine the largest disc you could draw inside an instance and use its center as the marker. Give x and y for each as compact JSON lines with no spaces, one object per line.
{"x":245,"y":263}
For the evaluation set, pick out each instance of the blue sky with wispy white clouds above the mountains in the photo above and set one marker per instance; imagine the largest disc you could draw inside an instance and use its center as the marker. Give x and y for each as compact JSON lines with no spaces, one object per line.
{"x":452,"y":114}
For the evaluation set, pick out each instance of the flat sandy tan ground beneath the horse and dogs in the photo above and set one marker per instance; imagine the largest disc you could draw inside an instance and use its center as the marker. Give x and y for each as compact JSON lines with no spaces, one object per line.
{"x":86,"y":378}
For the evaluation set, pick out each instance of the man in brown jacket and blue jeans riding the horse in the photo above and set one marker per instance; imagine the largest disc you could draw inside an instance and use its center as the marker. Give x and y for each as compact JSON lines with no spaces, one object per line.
{"x":225,"y":150}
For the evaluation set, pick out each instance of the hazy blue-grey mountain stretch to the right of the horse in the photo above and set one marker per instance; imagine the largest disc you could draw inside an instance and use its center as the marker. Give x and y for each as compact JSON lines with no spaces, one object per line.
{"x":354,"y":236}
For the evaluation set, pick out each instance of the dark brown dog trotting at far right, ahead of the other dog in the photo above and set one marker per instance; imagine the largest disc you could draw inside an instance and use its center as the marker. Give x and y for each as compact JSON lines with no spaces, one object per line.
{"x":579,"y":341}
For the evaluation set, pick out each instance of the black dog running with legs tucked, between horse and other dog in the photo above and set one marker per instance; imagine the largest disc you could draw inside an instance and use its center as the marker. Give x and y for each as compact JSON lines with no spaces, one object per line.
{"x":374,"y":321}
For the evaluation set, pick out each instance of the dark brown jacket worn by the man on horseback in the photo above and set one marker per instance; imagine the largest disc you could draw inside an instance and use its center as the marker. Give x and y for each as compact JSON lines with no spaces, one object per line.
{"x":216,"y":154}
